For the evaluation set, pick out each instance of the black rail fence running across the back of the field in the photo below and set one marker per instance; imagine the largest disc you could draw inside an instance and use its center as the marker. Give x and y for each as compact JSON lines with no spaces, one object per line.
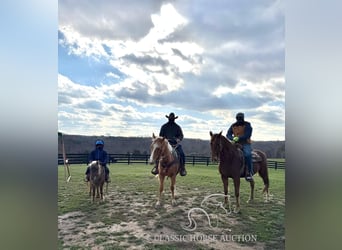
{"x":132,"y":158}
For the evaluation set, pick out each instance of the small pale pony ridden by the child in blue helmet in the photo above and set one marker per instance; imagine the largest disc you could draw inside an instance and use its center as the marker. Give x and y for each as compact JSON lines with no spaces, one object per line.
{"x":96,"y":180}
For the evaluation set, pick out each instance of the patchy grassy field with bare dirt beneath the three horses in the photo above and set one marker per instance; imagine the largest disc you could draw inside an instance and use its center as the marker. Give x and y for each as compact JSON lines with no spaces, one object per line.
{"x":128,"y":219}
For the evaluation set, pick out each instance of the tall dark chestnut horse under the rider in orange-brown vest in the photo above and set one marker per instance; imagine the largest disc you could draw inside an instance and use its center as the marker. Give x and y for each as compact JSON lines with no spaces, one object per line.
{"x":230,"y":163}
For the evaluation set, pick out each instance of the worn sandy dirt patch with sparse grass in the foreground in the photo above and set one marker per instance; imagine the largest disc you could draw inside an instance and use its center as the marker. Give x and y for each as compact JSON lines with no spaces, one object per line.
{"x":121,"y":223}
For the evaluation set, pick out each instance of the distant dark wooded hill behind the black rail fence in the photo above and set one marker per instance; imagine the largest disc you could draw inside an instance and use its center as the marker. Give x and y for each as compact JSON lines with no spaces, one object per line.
{"x":80,"y":144}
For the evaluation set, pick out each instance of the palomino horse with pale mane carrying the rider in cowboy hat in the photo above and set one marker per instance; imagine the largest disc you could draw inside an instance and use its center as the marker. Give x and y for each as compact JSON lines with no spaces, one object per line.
{"x":168,"y":164}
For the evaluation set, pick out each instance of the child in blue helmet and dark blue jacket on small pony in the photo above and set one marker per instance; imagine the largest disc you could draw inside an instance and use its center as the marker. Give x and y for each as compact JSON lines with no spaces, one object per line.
{"x":98,"y":154}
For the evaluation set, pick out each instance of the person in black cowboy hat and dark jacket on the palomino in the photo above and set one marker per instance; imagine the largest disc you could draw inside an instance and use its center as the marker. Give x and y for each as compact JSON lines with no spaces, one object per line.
{"x":173,"y":132}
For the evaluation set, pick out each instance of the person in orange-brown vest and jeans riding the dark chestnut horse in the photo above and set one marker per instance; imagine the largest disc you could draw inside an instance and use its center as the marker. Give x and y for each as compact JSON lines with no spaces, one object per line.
{"x":241,"y":132}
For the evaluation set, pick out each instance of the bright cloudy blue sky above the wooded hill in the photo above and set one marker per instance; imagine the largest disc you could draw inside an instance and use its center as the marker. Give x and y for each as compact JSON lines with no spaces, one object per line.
{"x":124,"y":65}
